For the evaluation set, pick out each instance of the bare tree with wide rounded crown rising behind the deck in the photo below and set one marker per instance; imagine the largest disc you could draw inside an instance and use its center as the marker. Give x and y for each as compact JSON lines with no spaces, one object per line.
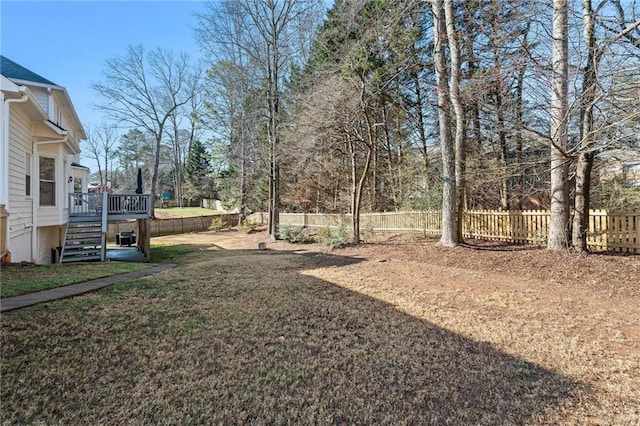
{"x":143,"y":90}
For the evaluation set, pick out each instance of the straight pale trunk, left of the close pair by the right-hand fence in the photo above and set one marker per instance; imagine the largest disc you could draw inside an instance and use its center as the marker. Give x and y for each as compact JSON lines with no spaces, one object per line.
{"x":559,"y":221}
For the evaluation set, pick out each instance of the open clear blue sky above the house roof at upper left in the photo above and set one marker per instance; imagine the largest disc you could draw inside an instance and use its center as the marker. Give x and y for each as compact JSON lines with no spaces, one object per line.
{"x":68,"y":42}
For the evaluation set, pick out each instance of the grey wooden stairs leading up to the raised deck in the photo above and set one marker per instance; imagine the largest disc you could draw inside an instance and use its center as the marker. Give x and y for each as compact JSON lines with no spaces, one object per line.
{"x":84,"y":240}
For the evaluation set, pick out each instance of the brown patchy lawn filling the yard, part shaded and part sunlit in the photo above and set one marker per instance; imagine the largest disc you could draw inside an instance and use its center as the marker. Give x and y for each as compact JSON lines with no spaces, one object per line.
{"x":392,"y":332}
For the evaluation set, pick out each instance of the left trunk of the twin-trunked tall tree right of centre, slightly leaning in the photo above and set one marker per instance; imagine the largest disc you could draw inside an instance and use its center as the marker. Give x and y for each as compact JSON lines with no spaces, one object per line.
{"x":448,"y":237}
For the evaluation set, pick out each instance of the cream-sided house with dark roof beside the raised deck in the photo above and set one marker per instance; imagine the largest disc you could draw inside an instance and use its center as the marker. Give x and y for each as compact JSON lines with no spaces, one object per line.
{"x":39,"y":162}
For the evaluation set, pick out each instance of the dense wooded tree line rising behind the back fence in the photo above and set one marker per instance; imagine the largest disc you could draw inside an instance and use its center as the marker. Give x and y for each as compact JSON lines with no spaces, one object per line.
{"x":382,"y":105}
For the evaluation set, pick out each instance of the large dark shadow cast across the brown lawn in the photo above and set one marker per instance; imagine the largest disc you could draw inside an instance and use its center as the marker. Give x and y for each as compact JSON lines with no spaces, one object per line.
{"x":248,"y":337}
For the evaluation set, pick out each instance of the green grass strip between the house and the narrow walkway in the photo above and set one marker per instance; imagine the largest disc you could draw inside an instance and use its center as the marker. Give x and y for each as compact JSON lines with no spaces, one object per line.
{"x":20,"y":279}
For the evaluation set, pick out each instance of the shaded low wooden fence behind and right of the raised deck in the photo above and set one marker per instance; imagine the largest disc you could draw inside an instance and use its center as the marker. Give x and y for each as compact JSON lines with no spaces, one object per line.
{"x":180,"y":225}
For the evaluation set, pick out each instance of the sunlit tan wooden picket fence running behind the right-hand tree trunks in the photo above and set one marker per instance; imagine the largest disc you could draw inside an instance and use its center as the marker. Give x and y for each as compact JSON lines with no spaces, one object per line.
{"x":608,"y":231}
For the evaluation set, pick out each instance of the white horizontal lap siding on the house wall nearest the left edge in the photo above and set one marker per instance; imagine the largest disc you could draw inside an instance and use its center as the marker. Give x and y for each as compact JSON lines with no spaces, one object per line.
{"x":20,"y":205}
